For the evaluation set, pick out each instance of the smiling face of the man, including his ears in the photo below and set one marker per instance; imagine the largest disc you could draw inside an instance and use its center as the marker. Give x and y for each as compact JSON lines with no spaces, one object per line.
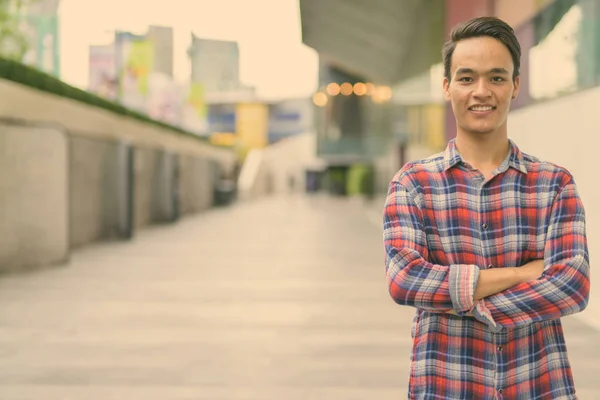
{"x":482,"y":86}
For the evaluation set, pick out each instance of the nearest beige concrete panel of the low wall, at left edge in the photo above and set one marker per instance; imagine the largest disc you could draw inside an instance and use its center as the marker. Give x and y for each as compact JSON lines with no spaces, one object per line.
{"x":34,"y":220}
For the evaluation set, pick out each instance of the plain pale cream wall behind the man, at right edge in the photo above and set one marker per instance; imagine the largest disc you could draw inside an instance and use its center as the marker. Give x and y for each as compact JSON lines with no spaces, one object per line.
{"x":564,"y":131}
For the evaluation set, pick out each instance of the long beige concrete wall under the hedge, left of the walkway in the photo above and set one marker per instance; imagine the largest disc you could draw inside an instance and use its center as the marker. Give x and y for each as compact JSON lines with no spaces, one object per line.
{"x":72,"y":174}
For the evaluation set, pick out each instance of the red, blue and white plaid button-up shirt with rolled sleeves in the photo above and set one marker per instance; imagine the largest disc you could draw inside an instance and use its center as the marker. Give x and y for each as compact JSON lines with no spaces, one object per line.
{"x":443,"y":224}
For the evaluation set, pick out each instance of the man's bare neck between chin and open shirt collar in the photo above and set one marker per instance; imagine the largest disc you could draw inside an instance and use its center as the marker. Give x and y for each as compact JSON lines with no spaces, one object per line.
{"x":484,"y":152}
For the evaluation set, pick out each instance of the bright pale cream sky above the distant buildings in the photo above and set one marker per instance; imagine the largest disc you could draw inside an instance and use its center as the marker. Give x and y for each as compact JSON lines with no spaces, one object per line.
{"x":272,"y":56}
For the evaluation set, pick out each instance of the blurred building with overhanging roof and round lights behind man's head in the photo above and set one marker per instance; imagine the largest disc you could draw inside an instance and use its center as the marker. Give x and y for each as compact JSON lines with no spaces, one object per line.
{"x":380,"y":101}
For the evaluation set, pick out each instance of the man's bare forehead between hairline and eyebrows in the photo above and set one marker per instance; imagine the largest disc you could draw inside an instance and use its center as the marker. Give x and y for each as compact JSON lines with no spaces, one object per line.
{"x":481,"y":53}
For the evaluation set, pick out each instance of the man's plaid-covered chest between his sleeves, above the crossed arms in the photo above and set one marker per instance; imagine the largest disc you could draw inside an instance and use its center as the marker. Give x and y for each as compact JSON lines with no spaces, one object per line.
{"x":500,"y":221}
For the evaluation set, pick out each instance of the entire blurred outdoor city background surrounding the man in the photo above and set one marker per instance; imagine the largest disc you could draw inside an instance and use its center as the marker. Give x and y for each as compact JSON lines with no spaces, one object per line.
{"x":191,"y":191}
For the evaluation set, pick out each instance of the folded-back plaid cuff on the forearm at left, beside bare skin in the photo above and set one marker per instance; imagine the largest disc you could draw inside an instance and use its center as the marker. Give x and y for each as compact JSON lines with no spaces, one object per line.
{"x":462,"y":282}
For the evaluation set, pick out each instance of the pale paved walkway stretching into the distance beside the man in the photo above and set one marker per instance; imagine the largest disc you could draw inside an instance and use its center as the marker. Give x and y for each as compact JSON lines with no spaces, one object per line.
{"x":280,"y":299}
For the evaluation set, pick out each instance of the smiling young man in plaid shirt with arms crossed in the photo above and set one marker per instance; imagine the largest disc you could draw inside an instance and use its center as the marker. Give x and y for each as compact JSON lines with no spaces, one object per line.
{"x":486,"y":242}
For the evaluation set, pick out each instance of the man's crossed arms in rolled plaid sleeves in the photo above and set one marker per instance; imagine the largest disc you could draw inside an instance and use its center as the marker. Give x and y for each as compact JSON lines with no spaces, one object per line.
{"x":541,"y":290}
